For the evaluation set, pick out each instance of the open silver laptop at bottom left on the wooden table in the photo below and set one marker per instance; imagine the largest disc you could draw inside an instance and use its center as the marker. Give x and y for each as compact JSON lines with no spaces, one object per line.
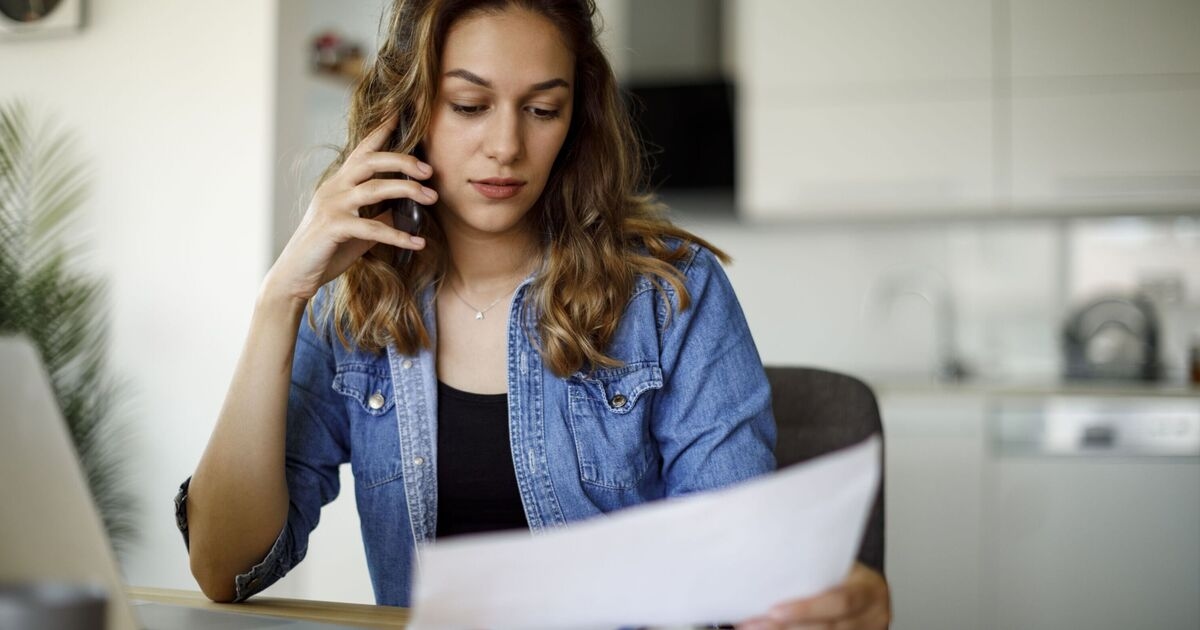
{"x":50,"y":527}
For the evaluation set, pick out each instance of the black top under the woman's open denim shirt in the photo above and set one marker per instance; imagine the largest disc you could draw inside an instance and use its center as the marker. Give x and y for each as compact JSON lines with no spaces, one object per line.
{"x":477,"y":484}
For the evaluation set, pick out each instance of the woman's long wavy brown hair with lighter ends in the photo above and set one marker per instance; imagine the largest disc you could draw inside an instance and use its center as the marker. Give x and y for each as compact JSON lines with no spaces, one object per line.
{"x":598,"y":231}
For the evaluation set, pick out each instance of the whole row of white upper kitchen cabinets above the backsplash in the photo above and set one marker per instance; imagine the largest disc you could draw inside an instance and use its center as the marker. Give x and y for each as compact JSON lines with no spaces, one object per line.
{"x":965,"y":107}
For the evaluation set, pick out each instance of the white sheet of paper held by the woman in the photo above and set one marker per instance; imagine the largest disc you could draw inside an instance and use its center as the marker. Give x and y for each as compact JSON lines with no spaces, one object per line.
{"x":719,"y":556}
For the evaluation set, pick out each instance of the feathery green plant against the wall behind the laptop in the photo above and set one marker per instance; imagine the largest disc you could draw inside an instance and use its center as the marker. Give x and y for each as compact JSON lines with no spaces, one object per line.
{"x":57,"y":308}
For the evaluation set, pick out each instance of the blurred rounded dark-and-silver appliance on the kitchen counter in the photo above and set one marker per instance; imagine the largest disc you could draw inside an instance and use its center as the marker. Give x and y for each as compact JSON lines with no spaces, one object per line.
{"x":1113,"y":338}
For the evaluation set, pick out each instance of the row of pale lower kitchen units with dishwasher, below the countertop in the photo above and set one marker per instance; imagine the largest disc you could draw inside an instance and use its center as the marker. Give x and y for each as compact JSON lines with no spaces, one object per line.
{"x":1051,"y":508}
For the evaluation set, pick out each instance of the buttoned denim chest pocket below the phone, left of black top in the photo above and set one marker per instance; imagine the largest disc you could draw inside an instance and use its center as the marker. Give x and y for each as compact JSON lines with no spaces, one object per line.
{"x":375,"y":437}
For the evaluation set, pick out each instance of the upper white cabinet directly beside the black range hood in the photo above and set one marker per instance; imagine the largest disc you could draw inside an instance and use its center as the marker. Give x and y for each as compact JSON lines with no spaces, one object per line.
{"x":861,"y":107}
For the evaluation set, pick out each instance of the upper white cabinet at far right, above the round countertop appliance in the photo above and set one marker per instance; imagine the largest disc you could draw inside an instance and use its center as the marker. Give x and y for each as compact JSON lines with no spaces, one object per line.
{"x":1105,"y":105}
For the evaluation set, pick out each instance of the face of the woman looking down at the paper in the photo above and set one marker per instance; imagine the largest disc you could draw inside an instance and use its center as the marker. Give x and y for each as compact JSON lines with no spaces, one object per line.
{"x":502,"y":115}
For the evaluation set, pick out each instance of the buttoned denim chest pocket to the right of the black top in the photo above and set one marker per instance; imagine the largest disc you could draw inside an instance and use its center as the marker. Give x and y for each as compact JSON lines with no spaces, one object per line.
{"x":611,"y":421}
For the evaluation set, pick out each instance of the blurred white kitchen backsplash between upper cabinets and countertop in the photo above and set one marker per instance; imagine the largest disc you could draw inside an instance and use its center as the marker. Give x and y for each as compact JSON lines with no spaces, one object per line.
{"x":901,"y":299}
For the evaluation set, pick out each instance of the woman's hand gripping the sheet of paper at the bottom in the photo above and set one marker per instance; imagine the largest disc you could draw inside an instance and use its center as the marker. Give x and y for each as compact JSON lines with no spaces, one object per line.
{"x":861,"y":602}
